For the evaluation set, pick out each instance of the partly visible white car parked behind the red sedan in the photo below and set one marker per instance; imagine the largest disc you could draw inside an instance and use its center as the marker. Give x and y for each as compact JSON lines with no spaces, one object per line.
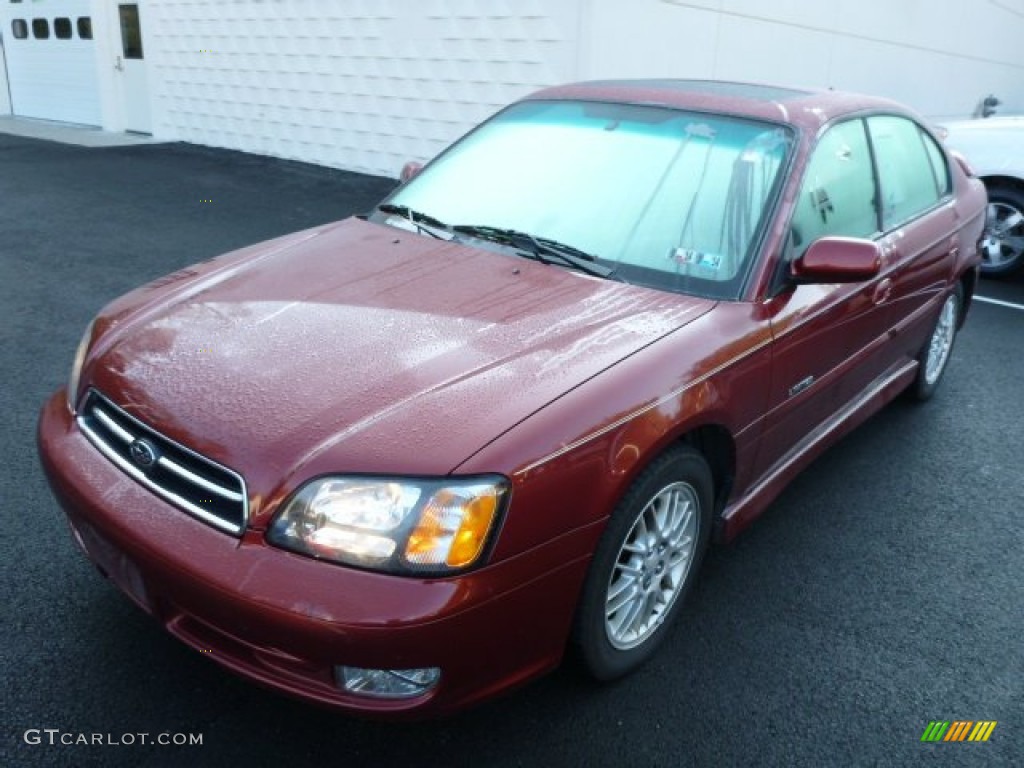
{"x":995,"y":149}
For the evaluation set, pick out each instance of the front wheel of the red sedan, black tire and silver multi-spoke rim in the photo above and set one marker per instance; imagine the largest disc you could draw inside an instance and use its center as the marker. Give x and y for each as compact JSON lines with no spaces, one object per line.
{"x":646,"y":564}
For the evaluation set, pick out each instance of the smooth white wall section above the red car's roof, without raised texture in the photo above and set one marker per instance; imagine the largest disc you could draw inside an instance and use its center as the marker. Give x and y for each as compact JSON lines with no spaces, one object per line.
{"x":941,"y":57}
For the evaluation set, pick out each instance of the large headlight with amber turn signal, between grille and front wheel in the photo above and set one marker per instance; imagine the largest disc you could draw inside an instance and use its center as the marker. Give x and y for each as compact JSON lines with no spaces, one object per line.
{"x":394,"y":525}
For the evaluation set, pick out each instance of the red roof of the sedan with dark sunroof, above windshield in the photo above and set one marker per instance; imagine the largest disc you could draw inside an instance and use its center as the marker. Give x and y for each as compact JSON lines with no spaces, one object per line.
{"x":808,"y":108}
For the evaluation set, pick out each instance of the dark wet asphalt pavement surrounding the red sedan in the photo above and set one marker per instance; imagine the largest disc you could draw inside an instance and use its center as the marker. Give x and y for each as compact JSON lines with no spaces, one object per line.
{"x":882,"y":591}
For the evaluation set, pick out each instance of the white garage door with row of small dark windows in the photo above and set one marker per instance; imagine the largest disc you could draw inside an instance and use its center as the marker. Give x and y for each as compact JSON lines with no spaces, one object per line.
{"x":52,"y":61}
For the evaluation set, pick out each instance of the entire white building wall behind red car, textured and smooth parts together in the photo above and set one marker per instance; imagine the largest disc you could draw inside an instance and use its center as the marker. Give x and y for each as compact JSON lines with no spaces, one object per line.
{"x":368,"y":84}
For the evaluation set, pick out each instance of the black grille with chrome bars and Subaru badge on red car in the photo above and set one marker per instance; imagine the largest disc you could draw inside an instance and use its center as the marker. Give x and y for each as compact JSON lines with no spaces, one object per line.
{"x":202,"y":488}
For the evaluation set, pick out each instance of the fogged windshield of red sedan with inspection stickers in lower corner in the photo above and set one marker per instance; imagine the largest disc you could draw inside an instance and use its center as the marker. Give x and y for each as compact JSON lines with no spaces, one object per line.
{"x":671,"y":200}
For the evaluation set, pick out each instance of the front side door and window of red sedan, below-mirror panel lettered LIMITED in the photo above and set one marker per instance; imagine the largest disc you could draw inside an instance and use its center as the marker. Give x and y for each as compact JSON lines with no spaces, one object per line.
{"x":827,"y":336}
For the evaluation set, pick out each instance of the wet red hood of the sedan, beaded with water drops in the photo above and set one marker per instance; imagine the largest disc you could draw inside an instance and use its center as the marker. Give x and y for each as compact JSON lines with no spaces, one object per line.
{"x":363,"y":349}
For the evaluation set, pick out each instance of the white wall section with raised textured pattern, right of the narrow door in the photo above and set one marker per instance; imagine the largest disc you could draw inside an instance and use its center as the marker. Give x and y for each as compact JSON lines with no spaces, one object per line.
{"x":360,"y":84}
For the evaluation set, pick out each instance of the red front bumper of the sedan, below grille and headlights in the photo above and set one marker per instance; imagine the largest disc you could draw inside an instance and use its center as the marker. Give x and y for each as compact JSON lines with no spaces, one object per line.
{"x":286,"y":621}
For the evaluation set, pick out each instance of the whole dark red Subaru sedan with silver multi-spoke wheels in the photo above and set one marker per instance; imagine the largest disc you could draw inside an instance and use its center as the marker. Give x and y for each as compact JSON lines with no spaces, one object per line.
{"x":403,"y":463}
